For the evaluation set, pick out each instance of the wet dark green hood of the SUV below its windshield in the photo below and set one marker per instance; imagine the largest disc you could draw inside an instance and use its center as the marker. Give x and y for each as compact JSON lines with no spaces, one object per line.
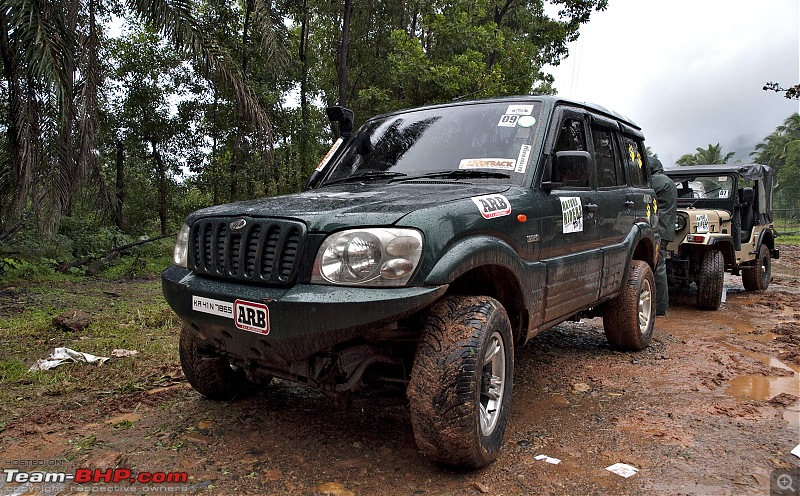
{"x":335,"y":207}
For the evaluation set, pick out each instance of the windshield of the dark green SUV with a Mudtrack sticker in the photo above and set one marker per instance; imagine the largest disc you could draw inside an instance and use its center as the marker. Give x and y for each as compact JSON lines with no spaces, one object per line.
{"x":484,"y":142}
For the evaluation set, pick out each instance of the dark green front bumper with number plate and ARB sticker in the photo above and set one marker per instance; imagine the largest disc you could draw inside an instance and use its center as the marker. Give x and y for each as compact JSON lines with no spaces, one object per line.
{"x":302,"y":320}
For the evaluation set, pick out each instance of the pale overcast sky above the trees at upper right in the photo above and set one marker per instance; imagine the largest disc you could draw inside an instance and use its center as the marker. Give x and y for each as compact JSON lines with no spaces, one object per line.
{"x":689,"y":73}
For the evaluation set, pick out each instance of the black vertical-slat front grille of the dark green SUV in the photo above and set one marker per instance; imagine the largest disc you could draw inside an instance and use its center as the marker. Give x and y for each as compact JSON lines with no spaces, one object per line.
{"x":266,"y":251}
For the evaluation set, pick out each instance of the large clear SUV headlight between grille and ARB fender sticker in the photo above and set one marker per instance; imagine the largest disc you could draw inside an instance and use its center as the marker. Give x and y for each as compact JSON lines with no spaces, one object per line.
{"x":368,"y":257}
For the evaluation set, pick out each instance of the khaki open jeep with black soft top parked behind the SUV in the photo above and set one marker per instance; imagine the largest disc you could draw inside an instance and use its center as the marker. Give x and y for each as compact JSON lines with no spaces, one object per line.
{"x":723,"y":223}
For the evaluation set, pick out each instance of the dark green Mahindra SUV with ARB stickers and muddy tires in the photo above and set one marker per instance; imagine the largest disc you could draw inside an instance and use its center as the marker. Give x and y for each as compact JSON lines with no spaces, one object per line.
{"x":428,"y":245}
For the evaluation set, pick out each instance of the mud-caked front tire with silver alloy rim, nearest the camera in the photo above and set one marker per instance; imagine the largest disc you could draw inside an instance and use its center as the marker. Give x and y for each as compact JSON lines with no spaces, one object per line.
{"x":460,"y":388}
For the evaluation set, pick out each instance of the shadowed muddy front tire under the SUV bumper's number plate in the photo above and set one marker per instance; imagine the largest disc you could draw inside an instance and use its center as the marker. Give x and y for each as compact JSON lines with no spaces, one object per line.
{"x":210,"y":374}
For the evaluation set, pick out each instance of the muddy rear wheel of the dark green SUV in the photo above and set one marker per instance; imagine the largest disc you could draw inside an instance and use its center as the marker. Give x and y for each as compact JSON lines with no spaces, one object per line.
{"x":628,"y":319}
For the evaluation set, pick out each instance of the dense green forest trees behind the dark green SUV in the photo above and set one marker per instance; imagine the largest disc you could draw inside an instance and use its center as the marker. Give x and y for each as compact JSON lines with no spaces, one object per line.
{"x":199,"y":103}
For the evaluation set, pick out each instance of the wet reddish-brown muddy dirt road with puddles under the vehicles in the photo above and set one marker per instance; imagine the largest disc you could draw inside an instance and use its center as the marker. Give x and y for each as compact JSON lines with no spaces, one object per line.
{"x":710,"y":408}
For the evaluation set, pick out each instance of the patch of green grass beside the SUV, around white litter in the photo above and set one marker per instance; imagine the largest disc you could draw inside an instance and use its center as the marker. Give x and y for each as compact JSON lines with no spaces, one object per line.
{"x":127,"y":314}
